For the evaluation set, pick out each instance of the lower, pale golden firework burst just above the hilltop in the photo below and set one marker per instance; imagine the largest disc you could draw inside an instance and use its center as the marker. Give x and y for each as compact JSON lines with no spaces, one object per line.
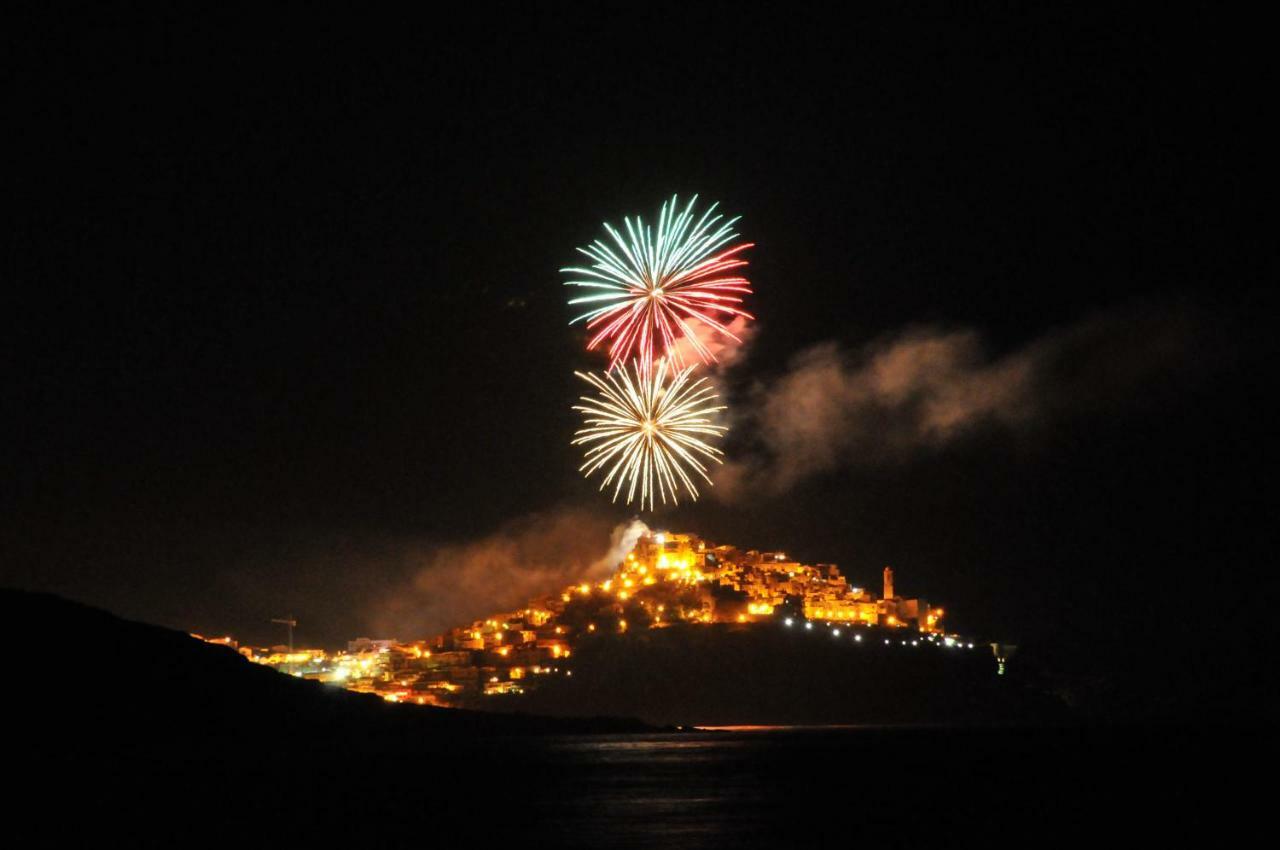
{"x":647,"y":432}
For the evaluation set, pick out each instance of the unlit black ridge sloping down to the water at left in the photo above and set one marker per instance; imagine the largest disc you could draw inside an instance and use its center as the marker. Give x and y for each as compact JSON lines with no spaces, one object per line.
{"x":97,"y":683}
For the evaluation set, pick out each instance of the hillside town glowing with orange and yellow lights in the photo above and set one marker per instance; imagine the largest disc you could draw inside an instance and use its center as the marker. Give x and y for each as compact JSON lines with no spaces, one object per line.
{"x":669,"y":581}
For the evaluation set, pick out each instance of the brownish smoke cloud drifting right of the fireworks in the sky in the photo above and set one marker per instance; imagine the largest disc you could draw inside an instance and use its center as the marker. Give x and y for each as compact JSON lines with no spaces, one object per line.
{"x":929,"y":387}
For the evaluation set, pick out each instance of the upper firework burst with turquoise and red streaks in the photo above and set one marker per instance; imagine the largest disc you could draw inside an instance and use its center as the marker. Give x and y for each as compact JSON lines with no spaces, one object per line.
{"x":653,"y":290}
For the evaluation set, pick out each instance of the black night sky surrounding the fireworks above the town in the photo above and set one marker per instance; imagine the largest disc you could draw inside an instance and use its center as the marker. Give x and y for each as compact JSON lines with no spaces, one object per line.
{"x":285,"y":313}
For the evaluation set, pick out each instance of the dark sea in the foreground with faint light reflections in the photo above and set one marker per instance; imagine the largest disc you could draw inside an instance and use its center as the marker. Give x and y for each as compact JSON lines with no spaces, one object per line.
{"x":778,"y":788}
